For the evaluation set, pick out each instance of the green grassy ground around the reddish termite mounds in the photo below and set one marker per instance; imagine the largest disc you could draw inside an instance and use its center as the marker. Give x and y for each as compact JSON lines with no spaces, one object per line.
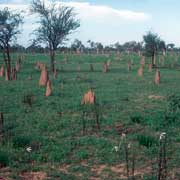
{"x":52,"y":126}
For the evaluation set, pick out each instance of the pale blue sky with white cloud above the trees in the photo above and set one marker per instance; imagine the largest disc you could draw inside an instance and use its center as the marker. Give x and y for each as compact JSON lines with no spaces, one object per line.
{"x":111,"y":21}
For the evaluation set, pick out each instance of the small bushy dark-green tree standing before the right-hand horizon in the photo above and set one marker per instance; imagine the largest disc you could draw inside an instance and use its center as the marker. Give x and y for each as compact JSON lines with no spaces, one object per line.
{"x":152,"y":46}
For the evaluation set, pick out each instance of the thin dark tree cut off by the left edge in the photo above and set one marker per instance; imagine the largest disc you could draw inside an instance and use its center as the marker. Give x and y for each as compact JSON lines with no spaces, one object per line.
{"x":9,"y":29}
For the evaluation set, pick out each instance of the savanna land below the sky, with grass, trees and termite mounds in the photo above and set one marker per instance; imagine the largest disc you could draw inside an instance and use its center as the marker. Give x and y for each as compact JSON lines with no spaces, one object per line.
{"x":86,"y":112}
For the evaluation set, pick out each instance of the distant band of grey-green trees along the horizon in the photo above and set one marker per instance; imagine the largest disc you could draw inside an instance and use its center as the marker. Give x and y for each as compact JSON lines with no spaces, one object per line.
{"x":94,"y":48}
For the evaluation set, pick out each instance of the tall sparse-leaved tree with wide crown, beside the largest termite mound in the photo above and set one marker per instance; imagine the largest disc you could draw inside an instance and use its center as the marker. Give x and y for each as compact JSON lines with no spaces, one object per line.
{"x":56,"y":23}
